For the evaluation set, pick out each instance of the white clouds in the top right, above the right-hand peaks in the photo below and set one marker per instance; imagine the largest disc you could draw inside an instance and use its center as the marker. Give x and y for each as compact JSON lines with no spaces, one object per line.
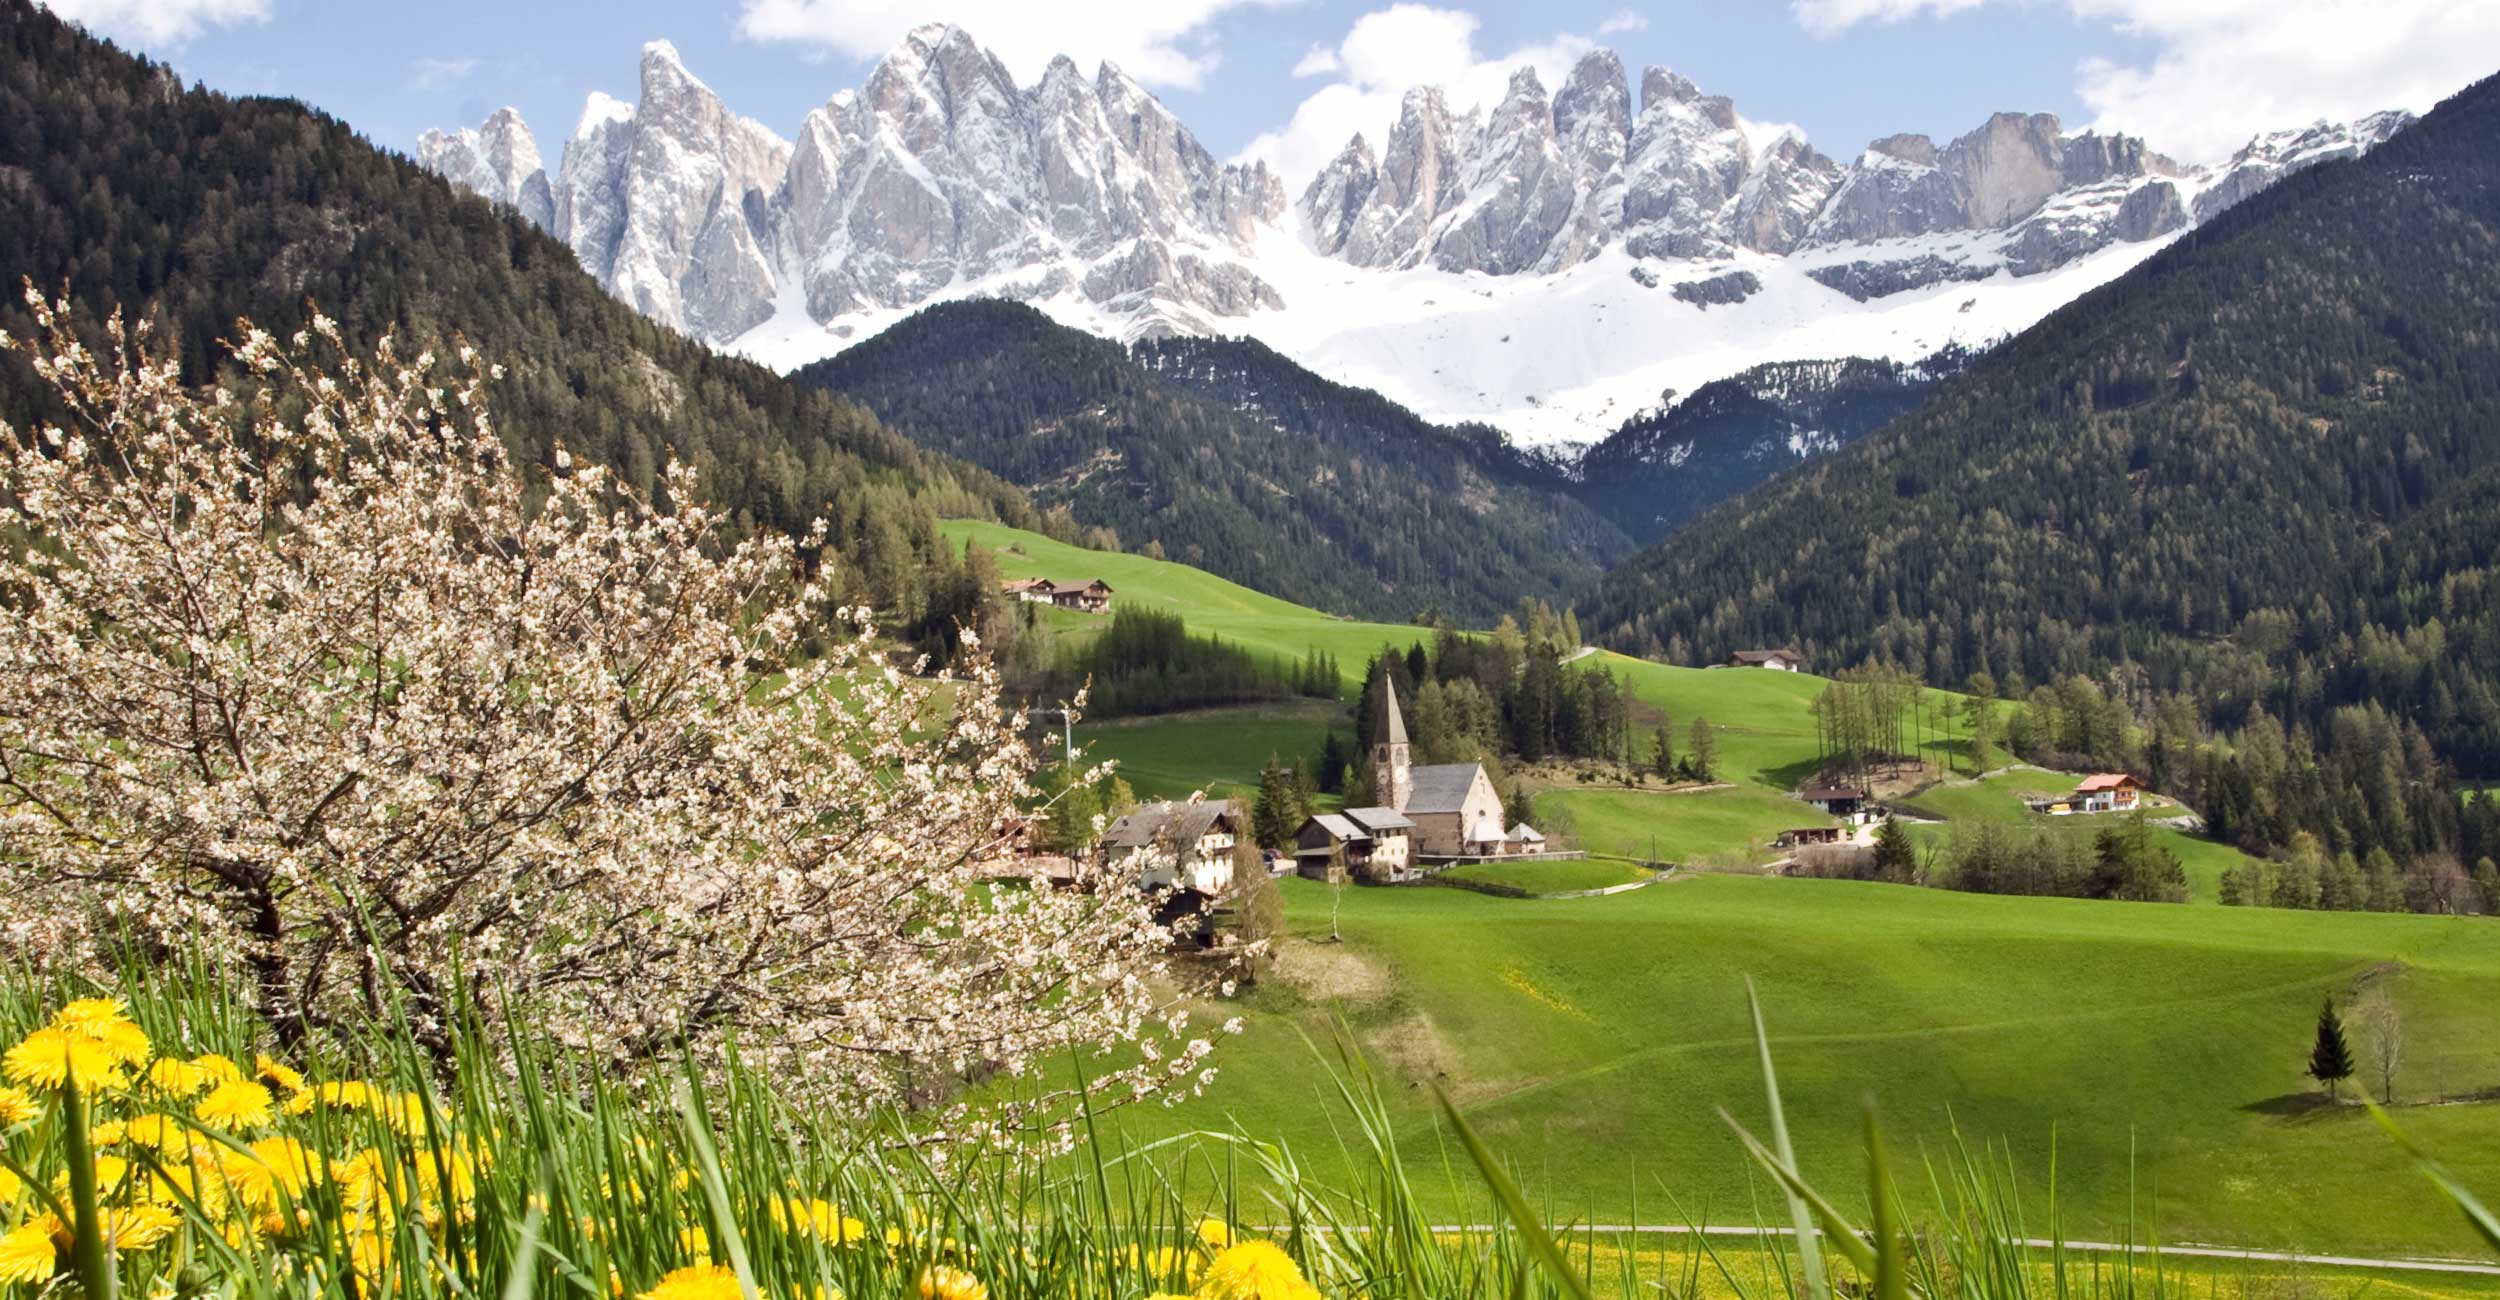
{"x":2224,"y":71}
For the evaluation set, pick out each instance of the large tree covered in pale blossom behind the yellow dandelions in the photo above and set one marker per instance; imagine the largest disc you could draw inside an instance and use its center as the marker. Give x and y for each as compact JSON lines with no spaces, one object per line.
{"x":324,"y":686}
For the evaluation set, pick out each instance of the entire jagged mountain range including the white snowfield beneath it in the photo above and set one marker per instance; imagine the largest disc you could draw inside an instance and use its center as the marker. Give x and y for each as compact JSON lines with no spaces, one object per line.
{"x":1546,"y":264}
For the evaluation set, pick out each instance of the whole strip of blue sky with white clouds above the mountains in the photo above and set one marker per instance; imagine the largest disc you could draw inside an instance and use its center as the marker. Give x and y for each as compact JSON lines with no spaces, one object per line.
{"x":1291,"y":81}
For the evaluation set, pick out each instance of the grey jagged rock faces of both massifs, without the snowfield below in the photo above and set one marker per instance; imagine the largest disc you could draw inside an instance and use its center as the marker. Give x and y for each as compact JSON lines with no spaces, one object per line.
{"x":941,"y":176}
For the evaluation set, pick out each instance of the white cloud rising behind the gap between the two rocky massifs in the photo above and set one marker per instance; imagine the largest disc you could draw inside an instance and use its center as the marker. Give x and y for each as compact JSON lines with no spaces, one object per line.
{"x":1381,"y":59}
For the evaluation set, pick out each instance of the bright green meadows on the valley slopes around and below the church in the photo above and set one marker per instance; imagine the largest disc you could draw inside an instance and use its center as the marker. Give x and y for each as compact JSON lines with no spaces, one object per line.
{"x":2146,"y":1054}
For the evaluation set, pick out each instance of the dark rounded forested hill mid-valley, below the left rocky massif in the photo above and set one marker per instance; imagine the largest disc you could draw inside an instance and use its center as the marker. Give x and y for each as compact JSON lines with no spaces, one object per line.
{"x":1236,"y":461}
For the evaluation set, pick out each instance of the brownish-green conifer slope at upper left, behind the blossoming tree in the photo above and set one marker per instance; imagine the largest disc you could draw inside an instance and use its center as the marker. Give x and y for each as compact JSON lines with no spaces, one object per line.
{"x":196,"y":209}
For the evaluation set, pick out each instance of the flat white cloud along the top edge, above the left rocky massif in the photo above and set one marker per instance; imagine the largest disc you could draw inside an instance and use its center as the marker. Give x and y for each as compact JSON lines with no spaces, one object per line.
{"x":1154,"y":41}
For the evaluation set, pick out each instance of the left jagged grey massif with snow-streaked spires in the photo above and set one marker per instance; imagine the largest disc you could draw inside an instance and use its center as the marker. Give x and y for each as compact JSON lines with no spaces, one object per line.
{"x":934,"y":174}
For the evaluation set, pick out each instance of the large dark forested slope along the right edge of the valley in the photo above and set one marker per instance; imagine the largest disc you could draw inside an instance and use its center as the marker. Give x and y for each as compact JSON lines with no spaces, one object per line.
{"x":2261,"y":471}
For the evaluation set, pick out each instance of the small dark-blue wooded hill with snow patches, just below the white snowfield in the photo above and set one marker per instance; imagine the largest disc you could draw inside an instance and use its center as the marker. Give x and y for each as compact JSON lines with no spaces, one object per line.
{"x":1666,"y":466}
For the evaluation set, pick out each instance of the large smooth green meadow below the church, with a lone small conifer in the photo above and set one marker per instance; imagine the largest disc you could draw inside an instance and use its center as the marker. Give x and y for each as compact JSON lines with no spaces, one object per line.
{"x":2144,"y":1046}
